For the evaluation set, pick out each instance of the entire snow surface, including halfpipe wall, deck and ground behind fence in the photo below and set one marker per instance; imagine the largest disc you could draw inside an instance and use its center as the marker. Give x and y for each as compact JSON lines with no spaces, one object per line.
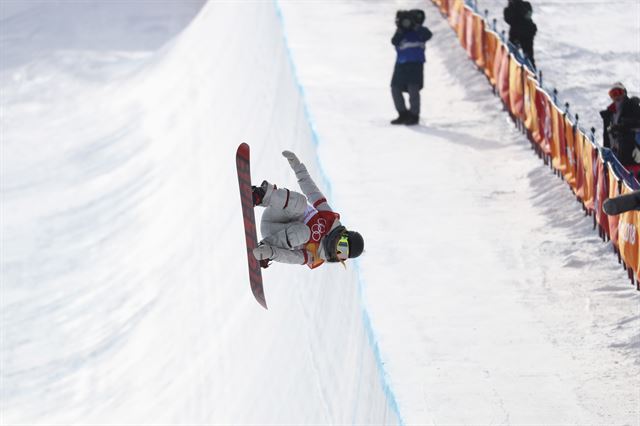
{"x":483,"y":297}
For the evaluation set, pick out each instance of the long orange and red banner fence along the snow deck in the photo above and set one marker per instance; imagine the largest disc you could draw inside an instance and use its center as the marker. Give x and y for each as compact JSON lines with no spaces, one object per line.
{"x":592,"y":173}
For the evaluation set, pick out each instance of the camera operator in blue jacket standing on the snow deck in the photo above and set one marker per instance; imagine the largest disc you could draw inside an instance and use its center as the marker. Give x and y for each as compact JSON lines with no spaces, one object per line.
{"x":408,"y":74}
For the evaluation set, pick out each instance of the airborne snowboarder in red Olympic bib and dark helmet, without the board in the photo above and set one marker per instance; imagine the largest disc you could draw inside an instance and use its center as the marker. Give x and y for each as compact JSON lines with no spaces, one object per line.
{"x":301,"y":228}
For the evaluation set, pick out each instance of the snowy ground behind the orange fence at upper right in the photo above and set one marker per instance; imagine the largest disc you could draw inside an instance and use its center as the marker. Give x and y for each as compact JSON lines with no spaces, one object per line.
{"x":582,"y":47}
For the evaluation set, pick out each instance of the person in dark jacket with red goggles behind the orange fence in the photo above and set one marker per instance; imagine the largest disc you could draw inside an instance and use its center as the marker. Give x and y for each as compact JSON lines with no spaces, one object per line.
{"x":621,"y":121}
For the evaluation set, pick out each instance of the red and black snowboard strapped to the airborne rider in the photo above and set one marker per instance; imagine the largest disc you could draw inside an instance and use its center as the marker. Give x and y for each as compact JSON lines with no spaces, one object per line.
{"x":250,"y":235}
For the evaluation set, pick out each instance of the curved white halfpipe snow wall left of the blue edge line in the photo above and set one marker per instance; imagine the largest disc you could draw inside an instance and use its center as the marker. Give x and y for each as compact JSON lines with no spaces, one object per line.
{"x":125,"y":294}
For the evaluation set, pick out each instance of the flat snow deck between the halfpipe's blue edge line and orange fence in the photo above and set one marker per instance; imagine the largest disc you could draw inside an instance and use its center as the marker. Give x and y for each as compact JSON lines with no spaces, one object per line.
{"x":494,"y":300}
